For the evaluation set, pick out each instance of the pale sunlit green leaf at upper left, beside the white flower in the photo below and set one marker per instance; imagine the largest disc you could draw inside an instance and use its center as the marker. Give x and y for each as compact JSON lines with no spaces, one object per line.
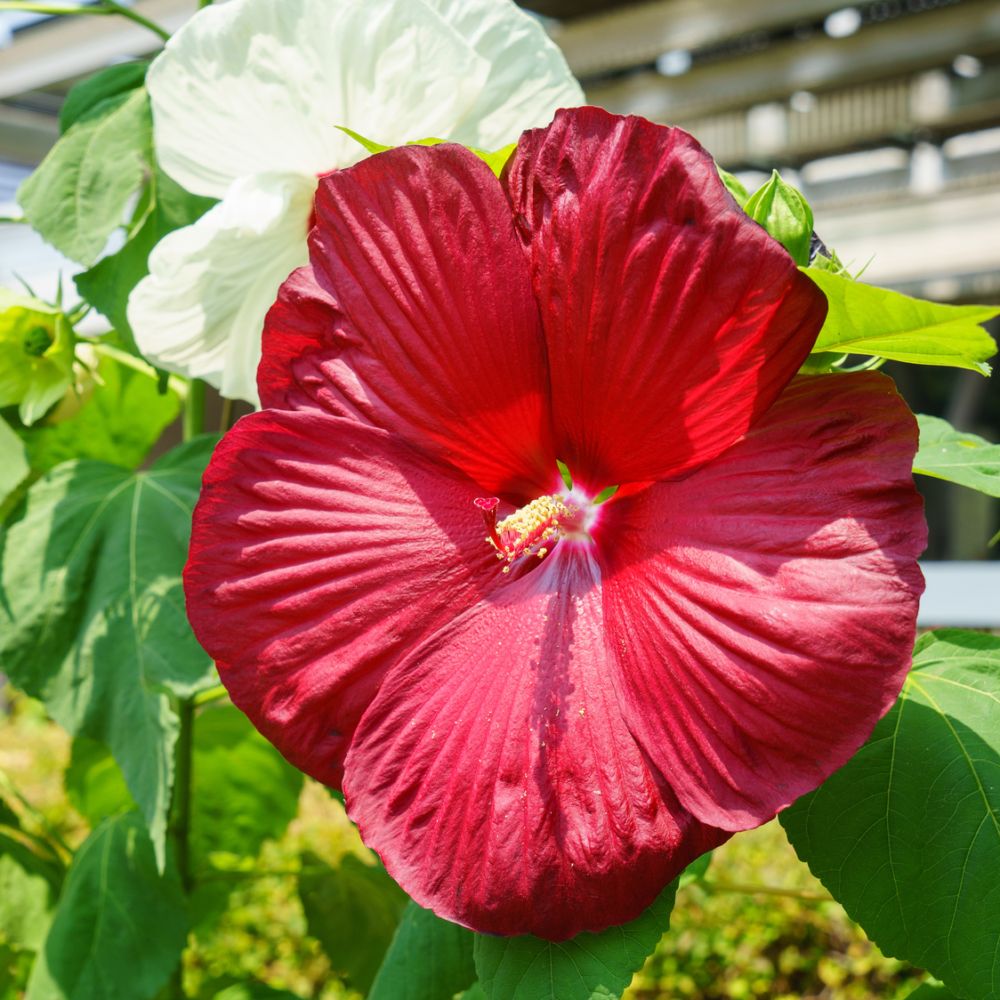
{"x":79,"y":193}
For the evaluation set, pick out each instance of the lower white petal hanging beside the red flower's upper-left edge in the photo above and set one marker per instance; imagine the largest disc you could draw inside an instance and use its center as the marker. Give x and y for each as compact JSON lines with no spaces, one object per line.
{"x":201,"y":310}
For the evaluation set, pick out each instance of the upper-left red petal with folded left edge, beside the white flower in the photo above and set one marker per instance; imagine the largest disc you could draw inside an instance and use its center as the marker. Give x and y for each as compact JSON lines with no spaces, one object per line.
{"x":430,"y":309}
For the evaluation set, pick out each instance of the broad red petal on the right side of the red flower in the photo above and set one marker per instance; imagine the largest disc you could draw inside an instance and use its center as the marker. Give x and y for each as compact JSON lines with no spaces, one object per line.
{"x":766,"y":605}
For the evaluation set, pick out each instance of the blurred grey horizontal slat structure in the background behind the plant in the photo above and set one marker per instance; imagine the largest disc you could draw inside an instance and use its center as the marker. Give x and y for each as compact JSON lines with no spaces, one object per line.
{"x":890,"y":126}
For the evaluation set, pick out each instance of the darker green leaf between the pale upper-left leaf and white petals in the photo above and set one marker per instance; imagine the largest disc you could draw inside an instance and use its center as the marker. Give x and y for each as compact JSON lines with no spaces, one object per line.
{"x":108,"y":284}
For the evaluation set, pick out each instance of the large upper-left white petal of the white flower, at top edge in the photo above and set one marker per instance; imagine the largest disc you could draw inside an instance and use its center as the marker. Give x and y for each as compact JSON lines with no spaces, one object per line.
{"x":255,"y":86}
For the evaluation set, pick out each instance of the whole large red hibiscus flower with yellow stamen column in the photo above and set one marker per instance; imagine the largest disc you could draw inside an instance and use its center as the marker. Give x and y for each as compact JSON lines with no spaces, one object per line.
{"x":539,"y":742}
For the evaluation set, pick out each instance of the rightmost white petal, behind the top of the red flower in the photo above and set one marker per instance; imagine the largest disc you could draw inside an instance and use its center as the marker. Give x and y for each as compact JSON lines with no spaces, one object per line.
{"x":528,"y":81}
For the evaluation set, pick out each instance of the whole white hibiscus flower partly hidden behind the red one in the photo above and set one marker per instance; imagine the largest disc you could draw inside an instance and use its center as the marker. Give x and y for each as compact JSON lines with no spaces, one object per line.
{"x":247,"y":97}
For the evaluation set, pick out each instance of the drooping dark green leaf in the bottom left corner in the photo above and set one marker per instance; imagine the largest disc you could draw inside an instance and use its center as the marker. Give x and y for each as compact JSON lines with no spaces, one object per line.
{"x":120,"y":926}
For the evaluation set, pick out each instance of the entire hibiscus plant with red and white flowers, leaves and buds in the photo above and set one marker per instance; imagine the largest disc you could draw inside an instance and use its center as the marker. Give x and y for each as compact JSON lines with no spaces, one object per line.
{"x":573,"y":530}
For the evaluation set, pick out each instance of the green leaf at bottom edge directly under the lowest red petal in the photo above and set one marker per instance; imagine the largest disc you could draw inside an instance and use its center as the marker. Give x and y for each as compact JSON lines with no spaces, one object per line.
{"x":587,"y":967}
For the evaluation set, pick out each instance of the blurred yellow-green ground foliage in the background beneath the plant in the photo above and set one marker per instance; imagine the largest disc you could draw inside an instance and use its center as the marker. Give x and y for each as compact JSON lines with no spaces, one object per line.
{"x":758,"y":925}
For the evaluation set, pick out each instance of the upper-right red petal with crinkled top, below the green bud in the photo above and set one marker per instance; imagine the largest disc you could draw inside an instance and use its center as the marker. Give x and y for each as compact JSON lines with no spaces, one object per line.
{"x":672,"y":320}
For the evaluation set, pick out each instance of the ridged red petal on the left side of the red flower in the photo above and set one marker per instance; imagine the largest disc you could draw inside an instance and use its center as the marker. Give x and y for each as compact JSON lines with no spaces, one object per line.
{"x":323,"y":549}
